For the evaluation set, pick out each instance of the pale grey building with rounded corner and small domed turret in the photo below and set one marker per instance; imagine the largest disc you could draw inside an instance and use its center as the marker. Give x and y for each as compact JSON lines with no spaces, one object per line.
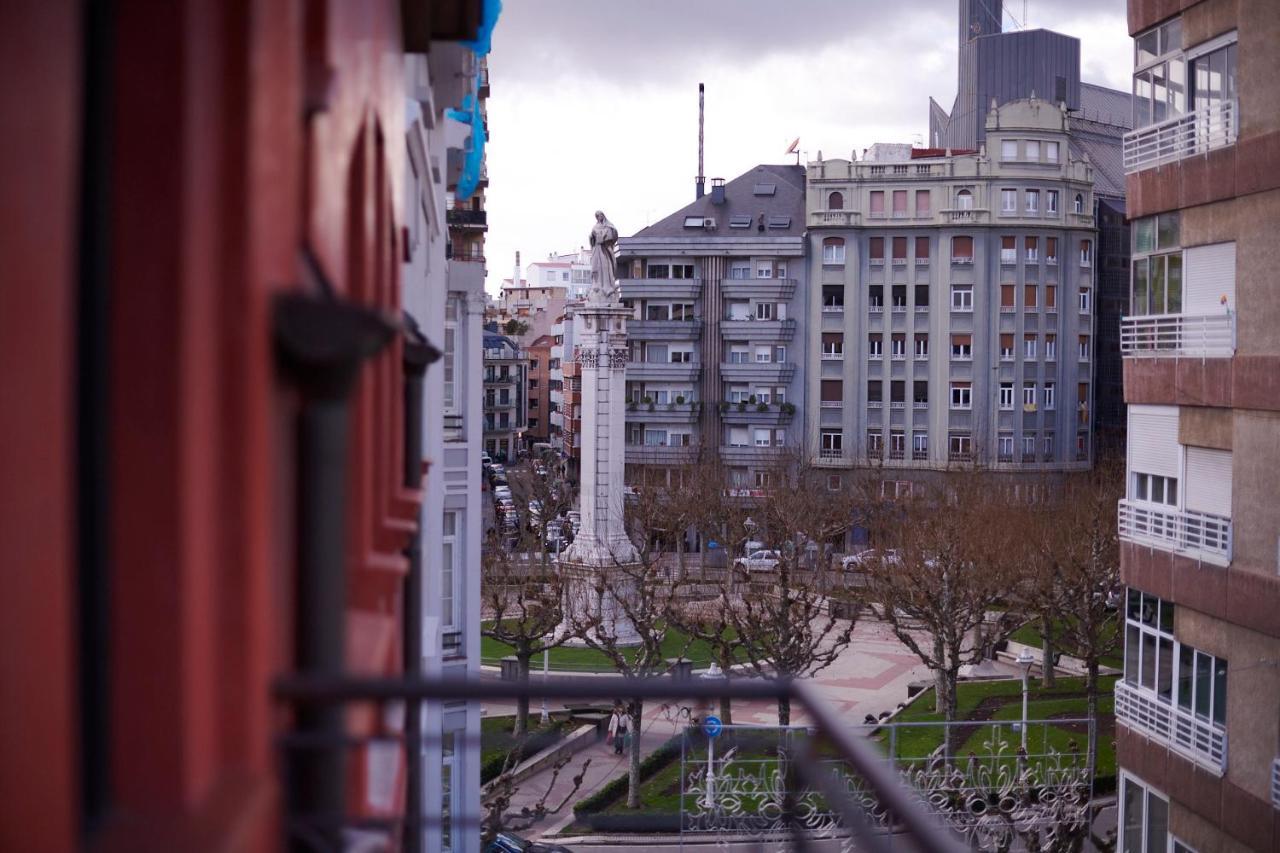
{"x":954,"y":303}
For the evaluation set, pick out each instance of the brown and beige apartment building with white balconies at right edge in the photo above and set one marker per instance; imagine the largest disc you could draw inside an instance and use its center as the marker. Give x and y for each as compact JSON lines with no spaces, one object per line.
{"x":1199,"y":708}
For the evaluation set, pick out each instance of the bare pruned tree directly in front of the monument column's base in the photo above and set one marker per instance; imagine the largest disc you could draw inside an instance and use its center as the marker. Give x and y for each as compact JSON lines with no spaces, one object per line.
{"x":624,"y":610}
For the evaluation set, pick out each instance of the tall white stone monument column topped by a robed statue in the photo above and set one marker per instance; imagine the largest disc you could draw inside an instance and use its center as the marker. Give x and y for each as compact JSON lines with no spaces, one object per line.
{"x":602,"y":554}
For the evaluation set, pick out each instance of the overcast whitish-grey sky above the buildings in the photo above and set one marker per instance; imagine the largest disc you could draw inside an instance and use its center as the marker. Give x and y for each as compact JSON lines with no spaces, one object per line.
{"x":595,"y":103}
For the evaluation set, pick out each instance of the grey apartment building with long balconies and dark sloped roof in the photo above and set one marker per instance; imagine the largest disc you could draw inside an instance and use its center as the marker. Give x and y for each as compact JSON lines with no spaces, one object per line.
{"x":716,"y":290}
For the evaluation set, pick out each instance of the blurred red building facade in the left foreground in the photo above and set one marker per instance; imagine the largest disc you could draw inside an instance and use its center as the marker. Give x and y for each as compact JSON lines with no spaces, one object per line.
{"x":185,"y":177}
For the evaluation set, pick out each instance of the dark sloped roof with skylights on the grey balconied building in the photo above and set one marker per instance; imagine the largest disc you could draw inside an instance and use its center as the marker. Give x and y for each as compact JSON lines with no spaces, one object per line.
{"x":740,"y":199}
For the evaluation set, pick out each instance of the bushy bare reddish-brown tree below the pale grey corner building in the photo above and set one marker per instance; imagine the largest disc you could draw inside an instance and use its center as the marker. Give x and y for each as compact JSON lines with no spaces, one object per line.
{"x":954,"y":563}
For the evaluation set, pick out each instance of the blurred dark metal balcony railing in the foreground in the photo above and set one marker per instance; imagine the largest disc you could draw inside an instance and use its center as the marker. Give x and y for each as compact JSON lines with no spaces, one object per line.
{"x":863,"y":797}
